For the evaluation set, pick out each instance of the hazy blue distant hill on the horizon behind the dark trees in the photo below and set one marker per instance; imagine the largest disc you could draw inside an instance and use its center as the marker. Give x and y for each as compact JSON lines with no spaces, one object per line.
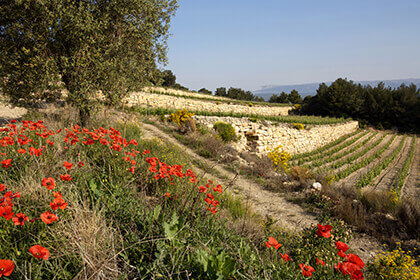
{"x":310,"y":89}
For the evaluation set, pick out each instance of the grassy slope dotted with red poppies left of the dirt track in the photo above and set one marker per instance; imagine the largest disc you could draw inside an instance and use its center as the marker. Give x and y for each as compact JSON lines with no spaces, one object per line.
{"x":102,"y":202}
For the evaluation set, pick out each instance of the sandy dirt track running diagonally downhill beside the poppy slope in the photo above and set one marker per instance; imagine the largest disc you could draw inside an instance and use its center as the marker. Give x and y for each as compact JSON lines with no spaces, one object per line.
{"x":288,"y":215}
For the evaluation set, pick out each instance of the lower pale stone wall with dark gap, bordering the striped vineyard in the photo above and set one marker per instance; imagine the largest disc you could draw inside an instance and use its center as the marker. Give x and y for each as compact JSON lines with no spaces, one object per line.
{"x":261,"y":136}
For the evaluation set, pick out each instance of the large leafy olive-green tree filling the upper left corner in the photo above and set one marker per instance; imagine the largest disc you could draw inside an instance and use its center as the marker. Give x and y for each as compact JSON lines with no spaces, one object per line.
{"x":111,"y":46}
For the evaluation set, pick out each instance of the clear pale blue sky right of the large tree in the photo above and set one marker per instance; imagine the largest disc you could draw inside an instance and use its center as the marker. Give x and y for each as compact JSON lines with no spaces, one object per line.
{"x":249,"y":44}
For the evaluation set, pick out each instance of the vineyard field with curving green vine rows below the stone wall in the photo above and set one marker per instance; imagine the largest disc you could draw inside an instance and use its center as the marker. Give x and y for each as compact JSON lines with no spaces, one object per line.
{"x":369,"y":160}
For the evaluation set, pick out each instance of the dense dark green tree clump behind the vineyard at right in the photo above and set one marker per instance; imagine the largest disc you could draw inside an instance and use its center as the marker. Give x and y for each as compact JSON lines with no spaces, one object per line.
{"x":380,"y":106}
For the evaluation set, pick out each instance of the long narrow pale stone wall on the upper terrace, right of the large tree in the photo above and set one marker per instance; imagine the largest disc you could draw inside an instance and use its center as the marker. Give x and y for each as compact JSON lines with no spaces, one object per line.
{"x":144,"y":99}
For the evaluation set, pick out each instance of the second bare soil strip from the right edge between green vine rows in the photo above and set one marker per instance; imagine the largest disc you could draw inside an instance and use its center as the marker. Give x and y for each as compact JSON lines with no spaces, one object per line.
{"x":387,"y":177}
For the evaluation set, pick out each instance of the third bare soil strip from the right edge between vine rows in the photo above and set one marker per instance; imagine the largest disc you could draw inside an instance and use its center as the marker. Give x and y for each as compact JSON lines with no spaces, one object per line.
{"x":350,"y":181}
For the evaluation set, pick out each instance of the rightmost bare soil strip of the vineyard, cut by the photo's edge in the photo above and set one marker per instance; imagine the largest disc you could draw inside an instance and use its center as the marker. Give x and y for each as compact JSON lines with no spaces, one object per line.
{"x":411,"y":187}
